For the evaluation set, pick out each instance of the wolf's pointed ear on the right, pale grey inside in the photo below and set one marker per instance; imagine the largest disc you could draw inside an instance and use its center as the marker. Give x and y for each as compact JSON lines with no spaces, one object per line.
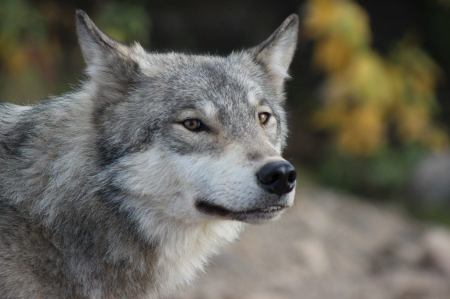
{"x":275,"y":54}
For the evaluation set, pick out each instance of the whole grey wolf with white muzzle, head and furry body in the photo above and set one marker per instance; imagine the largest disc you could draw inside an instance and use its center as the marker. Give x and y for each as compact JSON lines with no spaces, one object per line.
{"x":124,"y":187}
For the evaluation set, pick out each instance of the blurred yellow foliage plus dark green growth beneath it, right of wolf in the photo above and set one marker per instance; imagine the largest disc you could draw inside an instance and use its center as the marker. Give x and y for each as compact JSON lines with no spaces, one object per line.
{"x":379,"y":111}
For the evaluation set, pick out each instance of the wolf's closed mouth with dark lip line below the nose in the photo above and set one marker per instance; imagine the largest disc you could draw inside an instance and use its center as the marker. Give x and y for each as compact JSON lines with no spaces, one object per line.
{"x":267,"y":212}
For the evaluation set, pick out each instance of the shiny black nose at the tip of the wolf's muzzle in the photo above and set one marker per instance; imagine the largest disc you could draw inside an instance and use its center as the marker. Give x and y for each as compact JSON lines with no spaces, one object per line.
{"x":277,"y":177}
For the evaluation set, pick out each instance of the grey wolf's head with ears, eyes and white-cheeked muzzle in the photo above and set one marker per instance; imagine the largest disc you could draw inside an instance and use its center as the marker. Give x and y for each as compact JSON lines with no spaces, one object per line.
{"x":188,"y":137}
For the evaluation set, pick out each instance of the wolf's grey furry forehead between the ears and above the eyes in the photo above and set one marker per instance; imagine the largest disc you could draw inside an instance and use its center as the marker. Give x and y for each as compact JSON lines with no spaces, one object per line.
{"x":231,"y":84}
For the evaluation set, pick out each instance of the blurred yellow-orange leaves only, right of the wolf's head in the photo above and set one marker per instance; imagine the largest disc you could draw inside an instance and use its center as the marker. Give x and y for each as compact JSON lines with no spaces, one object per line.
{"x":370,"y":100}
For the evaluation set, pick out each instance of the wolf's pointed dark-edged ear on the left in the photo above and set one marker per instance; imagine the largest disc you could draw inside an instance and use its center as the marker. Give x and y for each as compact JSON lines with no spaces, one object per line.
{"x":105,"y":57}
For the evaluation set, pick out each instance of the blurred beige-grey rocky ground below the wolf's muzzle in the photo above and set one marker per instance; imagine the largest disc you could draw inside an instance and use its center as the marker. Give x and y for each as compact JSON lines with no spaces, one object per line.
{"x":331,"y":246}
